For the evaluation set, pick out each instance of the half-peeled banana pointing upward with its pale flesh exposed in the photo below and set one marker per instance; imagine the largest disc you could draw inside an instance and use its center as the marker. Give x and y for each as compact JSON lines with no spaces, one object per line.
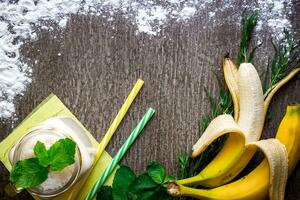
{"x":244,"y":129}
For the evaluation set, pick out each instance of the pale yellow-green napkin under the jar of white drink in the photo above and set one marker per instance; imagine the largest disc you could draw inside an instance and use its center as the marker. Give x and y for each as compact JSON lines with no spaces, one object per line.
{"x":52,"y":107}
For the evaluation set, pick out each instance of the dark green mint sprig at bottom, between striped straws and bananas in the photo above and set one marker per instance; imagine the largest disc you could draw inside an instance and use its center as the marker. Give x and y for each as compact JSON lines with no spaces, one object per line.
{"x":148,"y":185}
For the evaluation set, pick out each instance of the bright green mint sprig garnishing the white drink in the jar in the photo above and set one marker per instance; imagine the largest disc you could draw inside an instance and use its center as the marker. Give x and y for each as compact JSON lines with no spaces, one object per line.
{"x":31,"y":172}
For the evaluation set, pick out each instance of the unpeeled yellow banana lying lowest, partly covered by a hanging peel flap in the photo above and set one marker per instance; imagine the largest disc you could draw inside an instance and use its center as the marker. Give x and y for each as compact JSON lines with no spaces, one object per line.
{"x":256,"y":184}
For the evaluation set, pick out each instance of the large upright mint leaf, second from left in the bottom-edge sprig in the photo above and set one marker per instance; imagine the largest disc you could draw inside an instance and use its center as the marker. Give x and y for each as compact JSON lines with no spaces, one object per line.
{"x":123,"y":178}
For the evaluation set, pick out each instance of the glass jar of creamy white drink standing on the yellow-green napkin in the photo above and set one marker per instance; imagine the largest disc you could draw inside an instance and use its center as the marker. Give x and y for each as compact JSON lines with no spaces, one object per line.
{"x":49,"y":132}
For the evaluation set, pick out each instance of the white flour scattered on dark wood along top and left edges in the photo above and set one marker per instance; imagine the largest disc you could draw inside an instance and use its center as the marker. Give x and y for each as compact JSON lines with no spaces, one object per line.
{"x":17,"y":22}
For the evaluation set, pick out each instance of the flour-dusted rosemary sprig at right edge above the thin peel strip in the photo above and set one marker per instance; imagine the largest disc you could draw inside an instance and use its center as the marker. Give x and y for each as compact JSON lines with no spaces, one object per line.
{"x":285,"y":58}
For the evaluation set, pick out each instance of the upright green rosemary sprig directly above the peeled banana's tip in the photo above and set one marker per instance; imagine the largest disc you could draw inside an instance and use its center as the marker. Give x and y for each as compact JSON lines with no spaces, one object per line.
{"x":248,"y":24}
